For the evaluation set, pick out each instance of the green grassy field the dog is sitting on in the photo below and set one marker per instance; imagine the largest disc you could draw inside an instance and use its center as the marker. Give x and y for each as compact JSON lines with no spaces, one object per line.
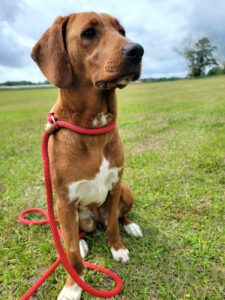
{"x":174,"y":136}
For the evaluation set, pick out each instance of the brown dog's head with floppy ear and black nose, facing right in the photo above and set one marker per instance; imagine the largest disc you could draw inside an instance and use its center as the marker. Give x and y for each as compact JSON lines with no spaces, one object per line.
{"x":88,"y":48}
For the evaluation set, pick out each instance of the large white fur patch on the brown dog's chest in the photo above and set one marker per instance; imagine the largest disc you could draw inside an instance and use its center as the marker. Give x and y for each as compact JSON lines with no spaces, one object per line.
{"x":94,"y":190}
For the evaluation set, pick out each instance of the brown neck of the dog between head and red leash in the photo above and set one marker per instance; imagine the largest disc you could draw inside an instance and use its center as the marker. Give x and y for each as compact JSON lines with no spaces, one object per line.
{"x":87,"y":107}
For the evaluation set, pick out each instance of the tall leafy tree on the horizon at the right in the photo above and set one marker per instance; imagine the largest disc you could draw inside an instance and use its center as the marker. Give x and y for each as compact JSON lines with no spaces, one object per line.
{"x":199,"y":56}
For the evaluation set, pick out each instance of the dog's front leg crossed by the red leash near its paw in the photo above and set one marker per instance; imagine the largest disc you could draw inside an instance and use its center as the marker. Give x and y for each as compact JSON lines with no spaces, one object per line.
{"x":69,"y":223}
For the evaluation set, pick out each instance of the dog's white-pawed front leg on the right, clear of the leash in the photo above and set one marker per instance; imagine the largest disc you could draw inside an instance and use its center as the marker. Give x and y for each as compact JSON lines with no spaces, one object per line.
{"x":118,"y":250}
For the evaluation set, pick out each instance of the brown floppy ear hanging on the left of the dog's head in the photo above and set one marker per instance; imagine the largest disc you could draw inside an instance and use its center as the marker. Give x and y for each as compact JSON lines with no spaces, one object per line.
{"x":51,"y":56}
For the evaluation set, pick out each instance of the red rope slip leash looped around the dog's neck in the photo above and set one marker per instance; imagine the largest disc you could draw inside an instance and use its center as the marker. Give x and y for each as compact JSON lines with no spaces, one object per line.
{"x":50,"y":218}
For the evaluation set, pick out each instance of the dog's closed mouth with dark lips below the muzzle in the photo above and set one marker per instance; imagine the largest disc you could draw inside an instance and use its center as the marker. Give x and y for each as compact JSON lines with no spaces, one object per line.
{"x":117,"y":81}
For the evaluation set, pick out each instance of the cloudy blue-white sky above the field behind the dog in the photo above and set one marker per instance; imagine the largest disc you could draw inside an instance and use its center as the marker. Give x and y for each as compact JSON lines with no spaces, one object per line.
{"x":160,"y":26}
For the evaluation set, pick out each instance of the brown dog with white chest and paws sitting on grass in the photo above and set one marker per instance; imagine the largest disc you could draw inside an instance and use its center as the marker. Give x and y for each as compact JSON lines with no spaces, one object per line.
{"x":88,"y":56}
